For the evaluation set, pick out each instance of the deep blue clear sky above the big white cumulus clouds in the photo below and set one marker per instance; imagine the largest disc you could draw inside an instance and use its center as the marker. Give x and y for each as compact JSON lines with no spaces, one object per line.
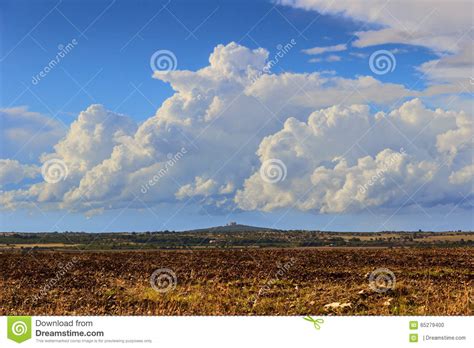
{"x":118,"y":45}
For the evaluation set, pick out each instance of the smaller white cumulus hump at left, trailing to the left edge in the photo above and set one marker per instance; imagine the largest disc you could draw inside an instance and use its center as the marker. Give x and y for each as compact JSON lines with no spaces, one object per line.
{"x":89,"y":141}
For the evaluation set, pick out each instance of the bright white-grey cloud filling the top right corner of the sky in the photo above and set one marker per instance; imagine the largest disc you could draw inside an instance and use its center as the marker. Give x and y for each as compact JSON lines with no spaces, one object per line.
{"x":442,"y":26}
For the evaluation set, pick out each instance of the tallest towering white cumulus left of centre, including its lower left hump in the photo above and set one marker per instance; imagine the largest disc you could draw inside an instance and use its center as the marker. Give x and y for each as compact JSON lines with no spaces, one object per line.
{"x":209,"y":116}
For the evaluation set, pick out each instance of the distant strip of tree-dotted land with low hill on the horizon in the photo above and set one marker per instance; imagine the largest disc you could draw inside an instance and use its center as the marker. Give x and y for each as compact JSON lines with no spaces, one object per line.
{"x":230,"y":236}
